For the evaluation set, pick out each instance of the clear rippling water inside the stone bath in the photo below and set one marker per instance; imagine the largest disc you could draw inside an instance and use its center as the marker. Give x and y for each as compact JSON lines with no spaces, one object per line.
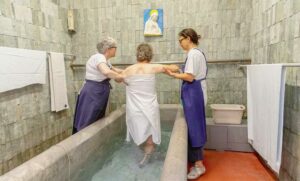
{"x":122,"y":164}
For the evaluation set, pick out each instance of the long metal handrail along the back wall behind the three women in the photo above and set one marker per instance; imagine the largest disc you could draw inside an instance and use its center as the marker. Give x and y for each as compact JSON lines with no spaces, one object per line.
{"x":229,"y":61}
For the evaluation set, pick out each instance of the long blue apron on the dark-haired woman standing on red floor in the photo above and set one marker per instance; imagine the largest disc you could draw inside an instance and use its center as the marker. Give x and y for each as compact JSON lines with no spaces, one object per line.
{"x":194,"y":111}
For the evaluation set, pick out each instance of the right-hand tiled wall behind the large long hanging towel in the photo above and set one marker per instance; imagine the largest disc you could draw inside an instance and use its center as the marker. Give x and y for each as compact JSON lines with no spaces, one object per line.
{"x":275,"y":37}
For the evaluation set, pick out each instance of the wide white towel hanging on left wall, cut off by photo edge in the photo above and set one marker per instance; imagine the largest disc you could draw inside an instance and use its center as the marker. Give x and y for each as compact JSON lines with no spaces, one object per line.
{"x":21,"y":67}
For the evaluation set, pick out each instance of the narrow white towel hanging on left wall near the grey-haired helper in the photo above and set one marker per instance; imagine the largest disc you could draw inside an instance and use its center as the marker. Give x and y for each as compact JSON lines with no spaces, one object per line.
{"x":58,"y":87}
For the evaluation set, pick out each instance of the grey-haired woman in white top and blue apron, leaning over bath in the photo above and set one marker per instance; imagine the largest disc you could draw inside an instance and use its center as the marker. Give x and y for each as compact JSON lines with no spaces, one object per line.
{"x":93,"y":96}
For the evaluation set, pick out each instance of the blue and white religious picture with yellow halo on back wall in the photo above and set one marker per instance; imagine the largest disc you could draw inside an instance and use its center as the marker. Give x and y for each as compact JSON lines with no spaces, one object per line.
{"x":153,"y":22}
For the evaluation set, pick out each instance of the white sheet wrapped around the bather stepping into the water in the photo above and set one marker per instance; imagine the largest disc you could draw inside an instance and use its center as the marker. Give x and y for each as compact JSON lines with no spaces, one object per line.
{"x":142,"y":109}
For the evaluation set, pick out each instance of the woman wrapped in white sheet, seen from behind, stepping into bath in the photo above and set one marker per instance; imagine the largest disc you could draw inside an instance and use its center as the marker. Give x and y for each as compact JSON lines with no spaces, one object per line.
{"x":142,"y":109}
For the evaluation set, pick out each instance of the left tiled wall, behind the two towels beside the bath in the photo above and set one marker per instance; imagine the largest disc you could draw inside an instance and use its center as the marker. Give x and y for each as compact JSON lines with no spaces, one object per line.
{"x":27,"y":126}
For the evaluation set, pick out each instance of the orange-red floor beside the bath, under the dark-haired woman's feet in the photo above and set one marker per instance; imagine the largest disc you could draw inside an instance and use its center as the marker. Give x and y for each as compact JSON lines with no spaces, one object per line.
{"x":234,"y":166}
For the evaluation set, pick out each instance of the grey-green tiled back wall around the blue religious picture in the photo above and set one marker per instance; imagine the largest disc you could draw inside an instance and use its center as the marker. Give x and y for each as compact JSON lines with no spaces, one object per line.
{"x":224,"y":26}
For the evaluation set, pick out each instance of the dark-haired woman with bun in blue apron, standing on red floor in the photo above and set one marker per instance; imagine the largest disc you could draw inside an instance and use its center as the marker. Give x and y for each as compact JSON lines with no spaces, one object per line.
{"x":193,"y":96}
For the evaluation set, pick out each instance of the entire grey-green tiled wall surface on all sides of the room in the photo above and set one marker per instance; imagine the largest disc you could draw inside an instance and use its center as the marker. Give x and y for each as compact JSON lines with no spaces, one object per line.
{"x":265,"y":31}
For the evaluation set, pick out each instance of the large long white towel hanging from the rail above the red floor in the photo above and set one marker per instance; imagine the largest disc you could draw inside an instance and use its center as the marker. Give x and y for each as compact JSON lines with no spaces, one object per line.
{"x":265,"y":100}
